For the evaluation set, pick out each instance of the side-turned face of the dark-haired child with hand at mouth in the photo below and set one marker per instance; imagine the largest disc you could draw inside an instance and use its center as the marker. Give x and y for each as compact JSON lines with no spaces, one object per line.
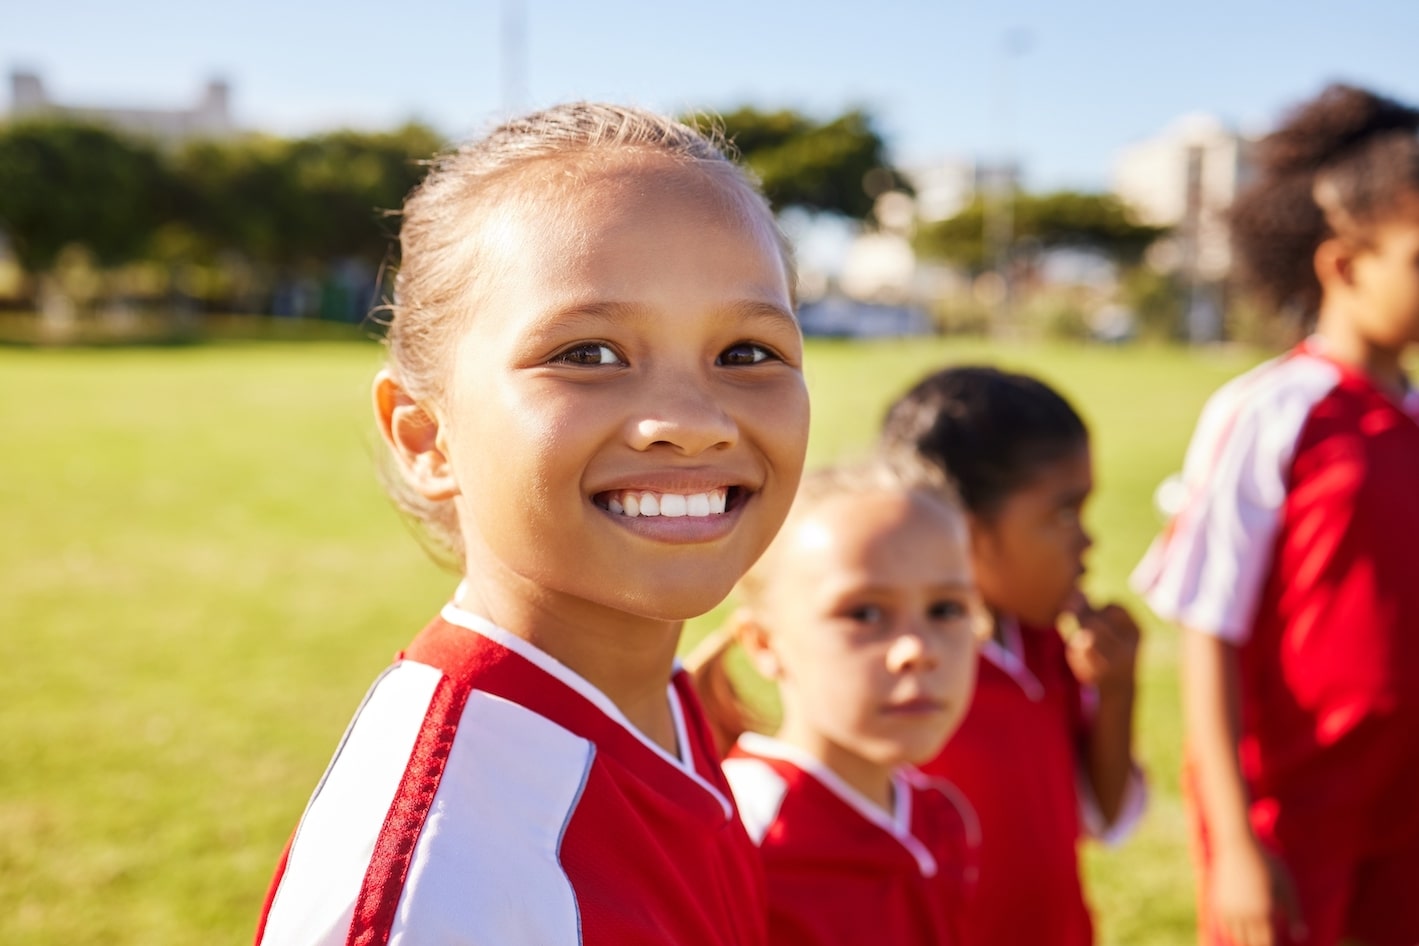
{"x":1029,"y":555}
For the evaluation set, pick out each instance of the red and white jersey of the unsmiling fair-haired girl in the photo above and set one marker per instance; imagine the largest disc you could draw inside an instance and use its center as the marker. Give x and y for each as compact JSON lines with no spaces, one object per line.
{"x":841,"y":870}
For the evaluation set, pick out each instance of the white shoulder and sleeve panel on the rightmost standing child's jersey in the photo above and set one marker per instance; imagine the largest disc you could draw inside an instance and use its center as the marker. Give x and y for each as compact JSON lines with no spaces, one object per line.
{"x":1208,"y":569}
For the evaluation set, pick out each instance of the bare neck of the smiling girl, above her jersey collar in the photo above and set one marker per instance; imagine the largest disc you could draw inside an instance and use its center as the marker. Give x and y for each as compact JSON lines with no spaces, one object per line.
{"x":628,"y":659}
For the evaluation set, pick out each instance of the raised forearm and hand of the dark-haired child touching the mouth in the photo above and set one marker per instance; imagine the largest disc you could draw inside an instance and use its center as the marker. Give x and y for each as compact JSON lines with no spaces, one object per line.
{"x":1103,"y":653}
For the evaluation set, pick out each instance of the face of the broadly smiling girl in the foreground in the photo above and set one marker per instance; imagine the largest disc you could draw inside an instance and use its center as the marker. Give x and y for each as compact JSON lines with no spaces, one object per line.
{"x":626,"y":415}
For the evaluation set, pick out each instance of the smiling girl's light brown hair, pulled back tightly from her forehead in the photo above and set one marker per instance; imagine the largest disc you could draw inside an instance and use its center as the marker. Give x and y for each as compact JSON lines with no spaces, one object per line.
{"x":439,"y":266}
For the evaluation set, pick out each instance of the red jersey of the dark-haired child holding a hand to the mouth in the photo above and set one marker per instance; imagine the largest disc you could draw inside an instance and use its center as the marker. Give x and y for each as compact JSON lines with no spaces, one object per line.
{"x":1017,"y":758}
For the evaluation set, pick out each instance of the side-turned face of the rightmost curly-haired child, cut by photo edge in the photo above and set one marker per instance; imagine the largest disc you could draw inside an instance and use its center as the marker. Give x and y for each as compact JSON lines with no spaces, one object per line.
{"x":1387,"y":280}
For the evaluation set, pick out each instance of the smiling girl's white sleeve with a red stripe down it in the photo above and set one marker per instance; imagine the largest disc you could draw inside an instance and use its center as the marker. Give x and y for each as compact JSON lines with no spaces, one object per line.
{"x":441,"y":820}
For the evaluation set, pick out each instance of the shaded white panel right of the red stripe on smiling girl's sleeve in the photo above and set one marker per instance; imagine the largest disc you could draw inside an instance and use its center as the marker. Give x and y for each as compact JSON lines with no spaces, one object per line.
{"x":487,"y":870}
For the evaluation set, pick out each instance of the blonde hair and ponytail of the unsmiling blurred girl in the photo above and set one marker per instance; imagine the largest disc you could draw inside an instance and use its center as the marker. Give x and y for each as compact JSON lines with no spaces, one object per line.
{"x":729,"y":714}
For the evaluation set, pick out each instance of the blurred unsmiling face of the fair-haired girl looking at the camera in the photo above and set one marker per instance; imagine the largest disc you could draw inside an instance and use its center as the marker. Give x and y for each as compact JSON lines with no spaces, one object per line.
{"x":869,"y":625}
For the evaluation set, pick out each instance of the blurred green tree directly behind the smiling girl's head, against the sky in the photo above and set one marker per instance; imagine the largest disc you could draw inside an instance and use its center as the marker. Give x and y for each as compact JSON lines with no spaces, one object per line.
{"x":817,"y":165}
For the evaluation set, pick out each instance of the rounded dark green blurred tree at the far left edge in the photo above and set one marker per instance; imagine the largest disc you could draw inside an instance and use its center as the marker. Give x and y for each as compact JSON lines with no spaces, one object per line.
{"x":72,"y":184}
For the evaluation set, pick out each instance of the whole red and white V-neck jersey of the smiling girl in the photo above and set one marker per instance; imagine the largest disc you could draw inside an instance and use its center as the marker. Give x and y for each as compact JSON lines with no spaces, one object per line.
{"x":486,"y":794}
